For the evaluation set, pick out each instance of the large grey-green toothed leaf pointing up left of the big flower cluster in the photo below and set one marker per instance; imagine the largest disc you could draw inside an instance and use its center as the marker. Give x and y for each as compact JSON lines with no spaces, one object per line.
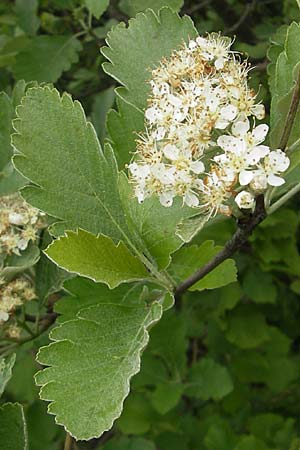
{"x":60,"y":153}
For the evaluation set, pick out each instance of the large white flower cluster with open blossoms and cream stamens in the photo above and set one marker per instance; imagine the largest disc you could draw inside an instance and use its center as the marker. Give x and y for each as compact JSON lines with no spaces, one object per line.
{"x":199,"y":143}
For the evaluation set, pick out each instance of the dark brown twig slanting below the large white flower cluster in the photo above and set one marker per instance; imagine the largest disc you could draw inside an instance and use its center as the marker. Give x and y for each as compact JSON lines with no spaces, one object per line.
{"x":239,"y":238}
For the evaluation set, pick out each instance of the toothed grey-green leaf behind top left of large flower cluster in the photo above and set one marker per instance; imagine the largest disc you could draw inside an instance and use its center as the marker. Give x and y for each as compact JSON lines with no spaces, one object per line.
{"x":135,"y":50}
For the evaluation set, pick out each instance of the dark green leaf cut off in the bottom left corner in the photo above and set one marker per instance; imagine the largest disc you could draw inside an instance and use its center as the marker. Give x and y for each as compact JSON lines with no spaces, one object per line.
{"x":13,"y":432}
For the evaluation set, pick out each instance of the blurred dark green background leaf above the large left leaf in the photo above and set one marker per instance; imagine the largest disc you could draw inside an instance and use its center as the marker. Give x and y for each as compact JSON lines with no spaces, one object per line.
{"x":45,"y":58}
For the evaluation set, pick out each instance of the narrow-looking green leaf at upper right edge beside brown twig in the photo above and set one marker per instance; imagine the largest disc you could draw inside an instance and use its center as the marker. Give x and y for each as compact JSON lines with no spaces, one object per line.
{"x":287,"y":68}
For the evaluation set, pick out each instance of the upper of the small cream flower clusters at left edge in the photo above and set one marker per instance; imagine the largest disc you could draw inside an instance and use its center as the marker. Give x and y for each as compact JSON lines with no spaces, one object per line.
{"x":19,"y":224}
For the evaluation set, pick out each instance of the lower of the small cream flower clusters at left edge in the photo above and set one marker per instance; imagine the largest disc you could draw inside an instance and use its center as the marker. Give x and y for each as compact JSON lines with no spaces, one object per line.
{"x":13,"y":294}
